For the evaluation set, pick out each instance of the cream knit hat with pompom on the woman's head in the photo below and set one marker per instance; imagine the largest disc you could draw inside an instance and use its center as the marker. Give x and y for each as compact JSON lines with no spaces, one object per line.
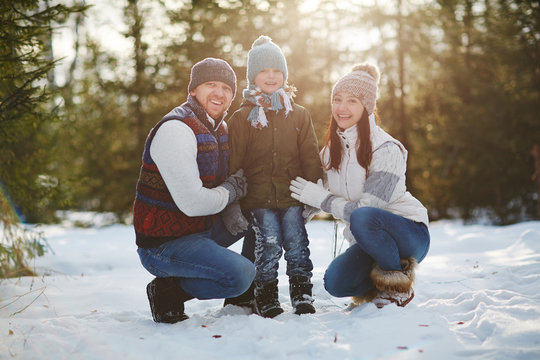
{"x":361,"y":82}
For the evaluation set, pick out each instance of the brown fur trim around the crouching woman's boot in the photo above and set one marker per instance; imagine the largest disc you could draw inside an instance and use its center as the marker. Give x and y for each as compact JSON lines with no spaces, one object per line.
{"x":395,"y":280}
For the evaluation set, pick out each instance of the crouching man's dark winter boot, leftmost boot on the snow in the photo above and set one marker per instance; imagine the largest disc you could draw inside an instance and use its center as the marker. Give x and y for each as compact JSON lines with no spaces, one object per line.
{"x":167,"y":299}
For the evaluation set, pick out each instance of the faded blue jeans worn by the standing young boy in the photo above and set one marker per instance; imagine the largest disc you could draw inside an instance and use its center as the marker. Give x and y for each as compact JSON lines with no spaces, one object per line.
{"x":277,"y":230}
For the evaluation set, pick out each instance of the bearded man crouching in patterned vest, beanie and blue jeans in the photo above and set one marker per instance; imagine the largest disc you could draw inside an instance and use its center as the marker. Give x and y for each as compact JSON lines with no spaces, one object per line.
{"x":182,"y":188}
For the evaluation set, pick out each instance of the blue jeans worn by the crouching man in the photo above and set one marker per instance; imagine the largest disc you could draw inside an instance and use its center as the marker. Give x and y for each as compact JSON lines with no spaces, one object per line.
{"x":204,"y":267}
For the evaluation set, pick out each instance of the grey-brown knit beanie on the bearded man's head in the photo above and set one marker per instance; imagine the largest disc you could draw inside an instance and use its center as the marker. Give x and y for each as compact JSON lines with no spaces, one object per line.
{"x":212,"y":69}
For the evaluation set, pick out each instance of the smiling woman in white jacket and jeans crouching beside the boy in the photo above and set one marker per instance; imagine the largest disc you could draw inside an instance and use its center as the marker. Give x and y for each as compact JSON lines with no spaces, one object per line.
{"x":365,"y":177}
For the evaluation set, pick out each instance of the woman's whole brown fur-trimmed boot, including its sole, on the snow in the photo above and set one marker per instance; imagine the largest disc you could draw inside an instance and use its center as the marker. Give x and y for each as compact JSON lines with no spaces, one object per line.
{"x":394,"y":286}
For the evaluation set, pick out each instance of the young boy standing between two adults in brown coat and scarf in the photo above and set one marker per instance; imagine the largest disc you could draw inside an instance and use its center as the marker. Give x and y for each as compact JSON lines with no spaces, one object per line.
{"x":273,"y":140}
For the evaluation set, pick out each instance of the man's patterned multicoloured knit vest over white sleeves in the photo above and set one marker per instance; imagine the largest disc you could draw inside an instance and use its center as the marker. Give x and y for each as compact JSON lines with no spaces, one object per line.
{"x":156,"y":217}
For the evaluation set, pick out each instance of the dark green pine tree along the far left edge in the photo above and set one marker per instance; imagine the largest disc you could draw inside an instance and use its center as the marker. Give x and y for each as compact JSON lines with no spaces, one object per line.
{"x":26,"y":110}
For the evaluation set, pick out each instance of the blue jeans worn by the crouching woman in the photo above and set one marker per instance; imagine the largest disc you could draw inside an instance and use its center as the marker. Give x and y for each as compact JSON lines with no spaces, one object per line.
{"x":382,"y":238}
